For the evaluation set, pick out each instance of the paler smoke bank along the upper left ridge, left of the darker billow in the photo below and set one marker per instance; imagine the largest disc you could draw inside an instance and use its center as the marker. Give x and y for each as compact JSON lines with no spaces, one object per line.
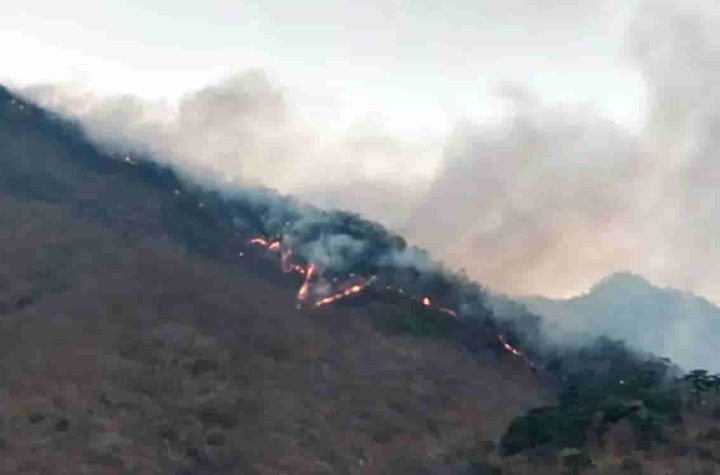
{"x":242,"y":132}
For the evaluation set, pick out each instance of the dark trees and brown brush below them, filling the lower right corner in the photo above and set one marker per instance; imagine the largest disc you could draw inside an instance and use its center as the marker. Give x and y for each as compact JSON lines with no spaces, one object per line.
{"x":606,"y":390}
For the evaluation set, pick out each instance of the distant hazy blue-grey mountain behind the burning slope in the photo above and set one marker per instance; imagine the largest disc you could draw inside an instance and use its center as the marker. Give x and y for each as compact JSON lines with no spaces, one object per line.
{"x":664,"y":321}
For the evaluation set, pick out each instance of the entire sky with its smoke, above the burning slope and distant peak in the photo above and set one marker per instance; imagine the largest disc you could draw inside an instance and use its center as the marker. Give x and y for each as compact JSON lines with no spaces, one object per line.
{"x":538,"y":145}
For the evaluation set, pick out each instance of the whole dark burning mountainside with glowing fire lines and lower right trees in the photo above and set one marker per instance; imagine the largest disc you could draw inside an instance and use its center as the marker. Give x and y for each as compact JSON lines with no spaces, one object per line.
{"x":151,"y":323}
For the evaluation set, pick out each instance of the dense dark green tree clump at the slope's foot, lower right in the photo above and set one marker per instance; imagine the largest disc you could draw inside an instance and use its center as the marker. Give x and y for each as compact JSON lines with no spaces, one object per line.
{"x":602,"y":384}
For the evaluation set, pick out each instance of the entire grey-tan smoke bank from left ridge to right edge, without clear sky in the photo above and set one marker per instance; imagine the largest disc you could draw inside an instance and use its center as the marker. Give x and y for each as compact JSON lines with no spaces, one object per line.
{"x":548,"y":201}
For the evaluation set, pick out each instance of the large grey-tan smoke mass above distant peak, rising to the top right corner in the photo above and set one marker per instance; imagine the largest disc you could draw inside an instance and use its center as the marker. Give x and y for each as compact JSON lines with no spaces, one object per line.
{"x":553,"y":200}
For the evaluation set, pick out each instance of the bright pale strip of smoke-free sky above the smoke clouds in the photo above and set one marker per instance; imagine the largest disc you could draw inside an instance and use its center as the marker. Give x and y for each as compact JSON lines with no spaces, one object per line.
{"x":414,"y":66}
